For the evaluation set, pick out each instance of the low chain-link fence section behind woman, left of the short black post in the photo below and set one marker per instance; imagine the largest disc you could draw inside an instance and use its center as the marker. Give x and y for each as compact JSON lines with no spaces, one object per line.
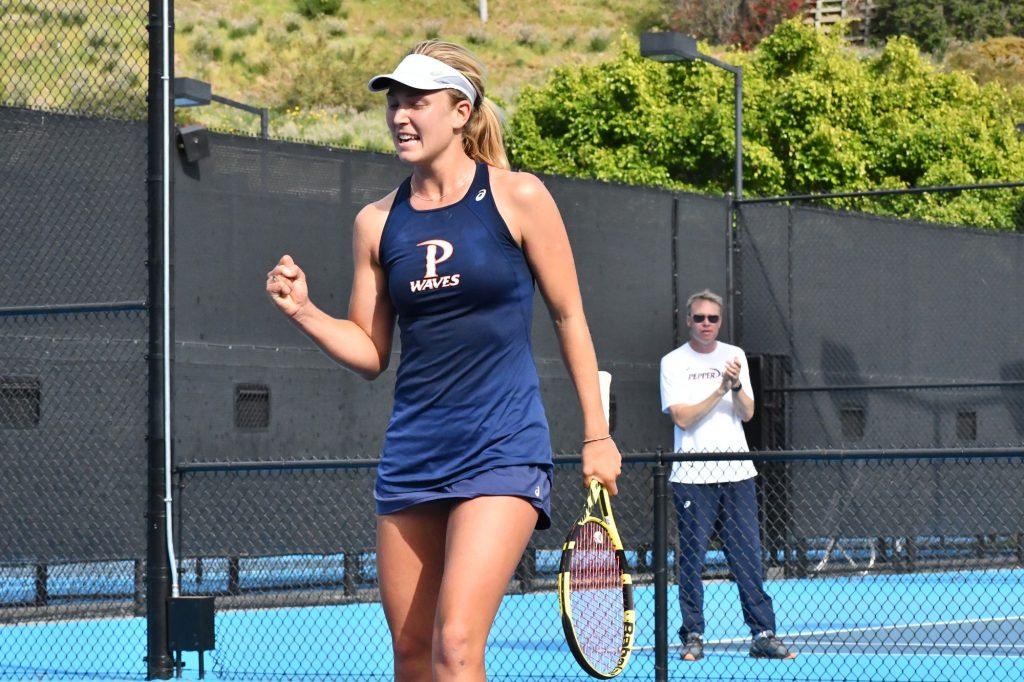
{"x":289,"y":552}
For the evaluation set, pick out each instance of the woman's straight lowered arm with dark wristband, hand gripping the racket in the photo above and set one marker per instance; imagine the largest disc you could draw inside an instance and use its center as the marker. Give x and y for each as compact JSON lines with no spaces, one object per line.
{"x":534,"y":220}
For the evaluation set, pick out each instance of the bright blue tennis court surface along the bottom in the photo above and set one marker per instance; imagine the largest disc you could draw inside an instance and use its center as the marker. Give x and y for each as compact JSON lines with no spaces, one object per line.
{"x":895,"y":628}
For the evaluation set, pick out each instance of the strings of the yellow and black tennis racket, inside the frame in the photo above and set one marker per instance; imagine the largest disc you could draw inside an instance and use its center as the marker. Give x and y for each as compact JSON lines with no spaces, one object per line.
{"x":596,"y":593}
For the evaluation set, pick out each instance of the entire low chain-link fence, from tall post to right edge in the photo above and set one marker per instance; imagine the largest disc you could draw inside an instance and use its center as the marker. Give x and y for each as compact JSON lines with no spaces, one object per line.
{"x":895,"y":567}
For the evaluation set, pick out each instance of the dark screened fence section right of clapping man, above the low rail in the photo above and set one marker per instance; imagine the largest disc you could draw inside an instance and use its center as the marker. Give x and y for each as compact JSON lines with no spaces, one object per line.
{"x":883,"y":333}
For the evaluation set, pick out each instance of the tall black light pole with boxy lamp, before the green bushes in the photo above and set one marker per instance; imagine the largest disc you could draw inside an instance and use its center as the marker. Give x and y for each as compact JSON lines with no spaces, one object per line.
{"x":669,"y":47}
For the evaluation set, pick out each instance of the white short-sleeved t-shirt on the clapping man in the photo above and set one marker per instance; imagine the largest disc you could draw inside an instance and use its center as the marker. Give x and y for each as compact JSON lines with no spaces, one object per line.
{"x":689,"y":378}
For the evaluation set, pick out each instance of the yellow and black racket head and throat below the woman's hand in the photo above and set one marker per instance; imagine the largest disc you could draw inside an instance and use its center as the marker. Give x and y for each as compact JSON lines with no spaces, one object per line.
{"x":595,"y":590}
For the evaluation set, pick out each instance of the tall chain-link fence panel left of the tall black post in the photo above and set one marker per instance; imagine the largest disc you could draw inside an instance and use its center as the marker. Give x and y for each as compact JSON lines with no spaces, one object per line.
{"x":73,"y":337}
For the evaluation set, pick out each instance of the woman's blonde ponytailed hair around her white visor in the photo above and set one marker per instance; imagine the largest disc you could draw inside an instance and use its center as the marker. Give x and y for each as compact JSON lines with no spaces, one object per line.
{"x":482,"y":138}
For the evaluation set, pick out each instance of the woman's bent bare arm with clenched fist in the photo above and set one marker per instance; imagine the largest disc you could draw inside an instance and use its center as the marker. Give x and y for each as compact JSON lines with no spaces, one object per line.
{"x":363,"y":343}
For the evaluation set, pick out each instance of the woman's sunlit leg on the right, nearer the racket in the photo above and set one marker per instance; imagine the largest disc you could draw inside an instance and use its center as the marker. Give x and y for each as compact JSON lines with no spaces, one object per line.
{"x":487,"y":537}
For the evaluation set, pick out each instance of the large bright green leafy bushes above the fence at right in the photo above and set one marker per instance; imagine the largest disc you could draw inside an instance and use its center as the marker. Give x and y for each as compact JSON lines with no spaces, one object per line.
{"x":817,"y":118}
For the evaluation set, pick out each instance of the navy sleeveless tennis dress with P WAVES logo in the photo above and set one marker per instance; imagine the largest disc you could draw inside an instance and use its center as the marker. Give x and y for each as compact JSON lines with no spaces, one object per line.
{"x":467,"y":419}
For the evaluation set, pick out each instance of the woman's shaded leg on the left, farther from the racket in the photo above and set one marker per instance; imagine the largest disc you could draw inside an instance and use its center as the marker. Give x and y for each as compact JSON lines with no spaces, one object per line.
{"x":410,"y":565}
